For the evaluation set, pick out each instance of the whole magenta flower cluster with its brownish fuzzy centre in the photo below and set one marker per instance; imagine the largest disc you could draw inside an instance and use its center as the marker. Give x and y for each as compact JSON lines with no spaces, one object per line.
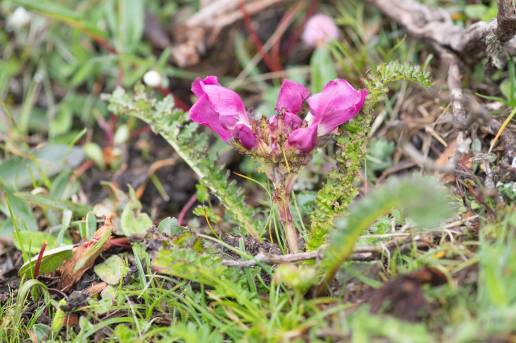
{"x":285,"y":135}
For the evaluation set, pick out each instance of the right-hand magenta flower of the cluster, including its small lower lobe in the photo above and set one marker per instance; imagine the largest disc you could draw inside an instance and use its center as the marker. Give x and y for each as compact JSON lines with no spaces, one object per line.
{"x":337,"y":104}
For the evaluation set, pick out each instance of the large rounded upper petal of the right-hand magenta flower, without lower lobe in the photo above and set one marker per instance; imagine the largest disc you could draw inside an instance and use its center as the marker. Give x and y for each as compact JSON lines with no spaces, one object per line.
{"x":338,"y":103}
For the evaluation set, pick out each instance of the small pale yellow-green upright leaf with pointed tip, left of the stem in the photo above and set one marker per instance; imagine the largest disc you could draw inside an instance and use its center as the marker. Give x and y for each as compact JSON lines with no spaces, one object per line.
{"x":134,"y":222}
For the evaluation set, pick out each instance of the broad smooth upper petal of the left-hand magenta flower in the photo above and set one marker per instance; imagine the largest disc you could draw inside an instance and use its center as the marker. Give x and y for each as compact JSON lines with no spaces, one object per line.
{"x":227,"y":104}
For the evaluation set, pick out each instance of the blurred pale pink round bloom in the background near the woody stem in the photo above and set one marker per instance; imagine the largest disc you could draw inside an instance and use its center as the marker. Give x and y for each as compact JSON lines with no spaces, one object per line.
{"x":319,"y":30}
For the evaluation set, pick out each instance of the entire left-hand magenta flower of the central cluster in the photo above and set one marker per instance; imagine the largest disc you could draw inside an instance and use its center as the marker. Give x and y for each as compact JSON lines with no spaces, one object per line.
{"x":222,"y":110}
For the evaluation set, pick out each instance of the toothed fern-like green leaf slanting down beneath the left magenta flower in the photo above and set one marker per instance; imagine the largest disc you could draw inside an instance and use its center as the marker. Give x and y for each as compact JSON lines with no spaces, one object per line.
{"x":172,"y":124}
